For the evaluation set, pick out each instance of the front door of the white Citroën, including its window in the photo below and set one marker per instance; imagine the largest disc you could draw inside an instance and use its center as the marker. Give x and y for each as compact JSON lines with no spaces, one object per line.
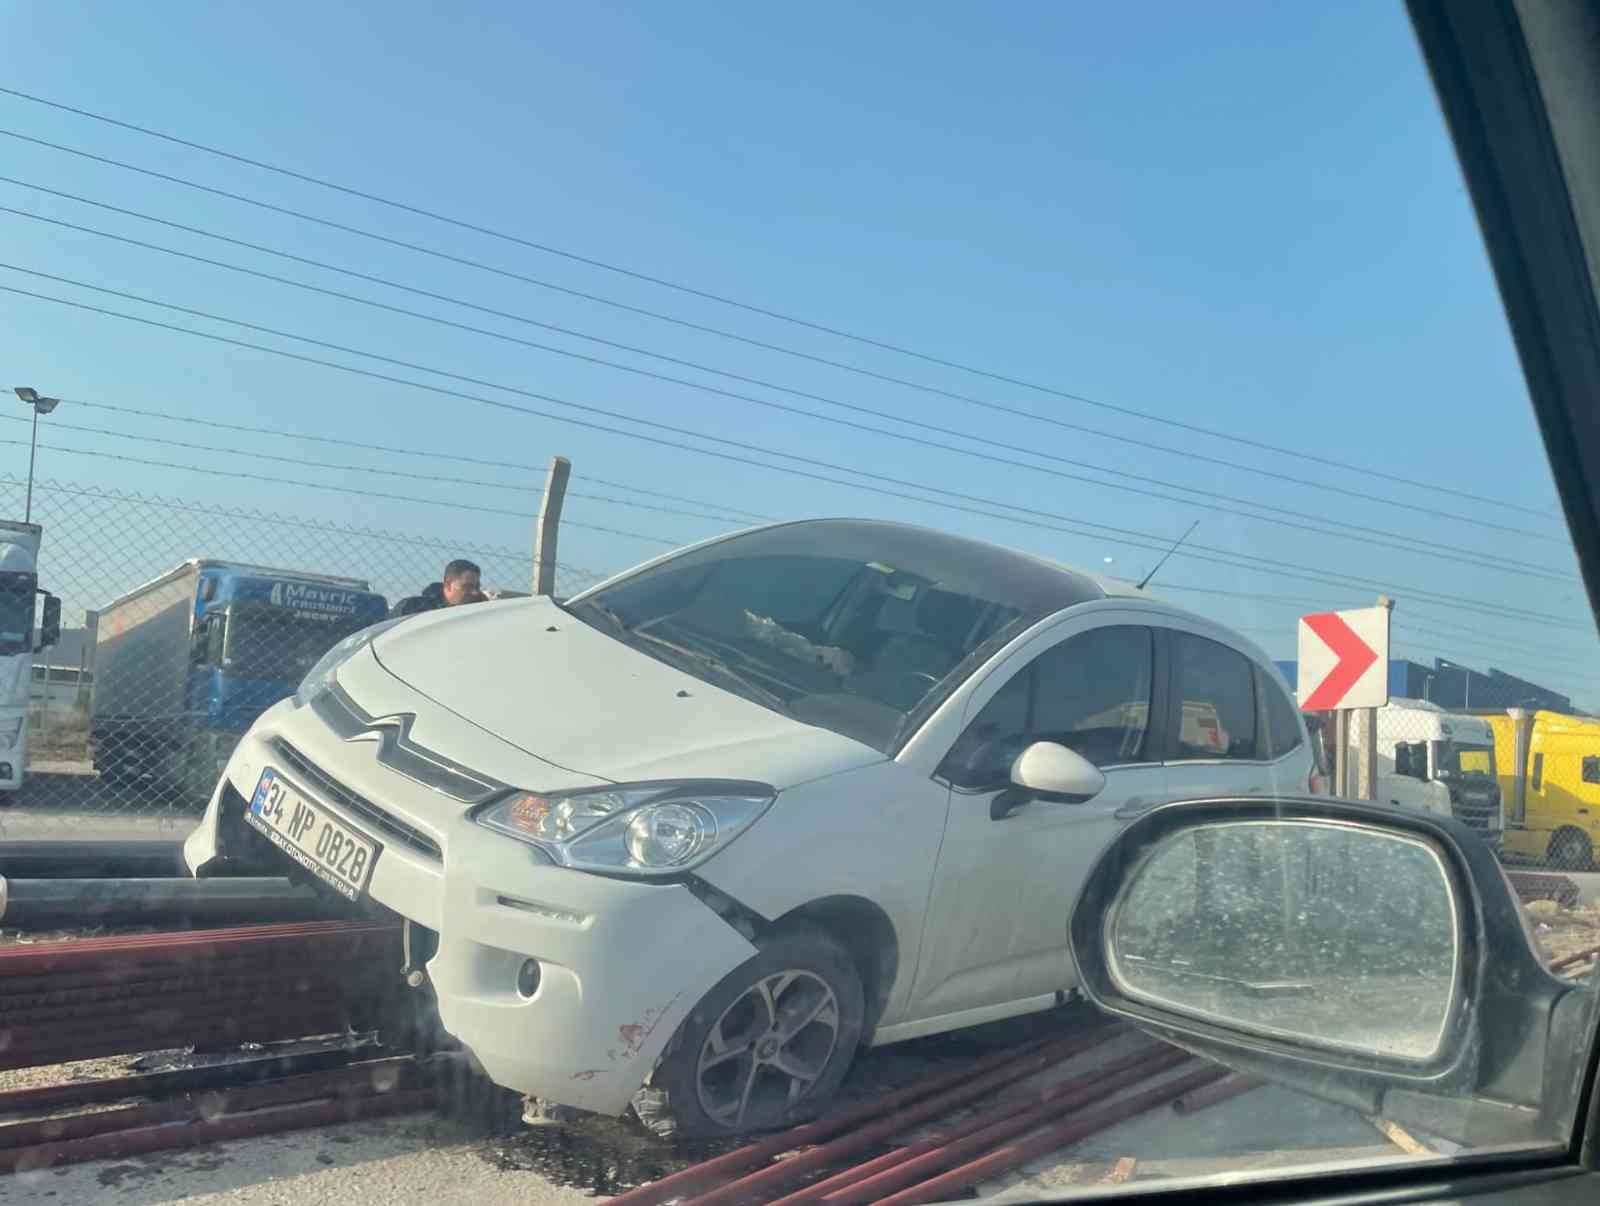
{"x":998,"y":912}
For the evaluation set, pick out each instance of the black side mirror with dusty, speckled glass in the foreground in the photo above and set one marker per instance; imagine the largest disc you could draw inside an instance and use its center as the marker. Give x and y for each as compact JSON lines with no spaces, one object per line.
{"x":1362,"y":956}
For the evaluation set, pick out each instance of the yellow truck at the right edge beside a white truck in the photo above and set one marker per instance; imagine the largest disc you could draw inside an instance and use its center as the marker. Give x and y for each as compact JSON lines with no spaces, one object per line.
{"x":1550,"y":775}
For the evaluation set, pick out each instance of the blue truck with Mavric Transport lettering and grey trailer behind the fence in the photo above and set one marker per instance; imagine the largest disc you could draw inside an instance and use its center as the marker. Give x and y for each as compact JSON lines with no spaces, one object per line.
{"x":186,"y":663}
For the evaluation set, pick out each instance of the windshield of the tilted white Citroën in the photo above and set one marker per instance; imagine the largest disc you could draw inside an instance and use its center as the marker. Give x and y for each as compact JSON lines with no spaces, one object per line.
{"x":849,"y":626}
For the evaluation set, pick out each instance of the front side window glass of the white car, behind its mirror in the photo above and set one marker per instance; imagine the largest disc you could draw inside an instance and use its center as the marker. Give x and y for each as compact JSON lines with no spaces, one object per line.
{"x":1090,"y":693}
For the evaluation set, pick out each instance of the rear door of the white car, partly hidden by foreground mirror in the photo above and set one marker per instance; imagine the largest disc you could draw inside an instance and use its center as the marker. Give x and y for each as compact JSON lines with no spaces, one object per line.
{"x":1231,"y":729}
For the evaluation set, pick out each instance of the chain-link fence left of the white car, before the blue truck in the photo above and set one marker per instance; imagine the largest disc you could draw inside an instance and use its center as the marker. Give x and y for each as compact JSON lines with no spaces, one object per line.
{"x":161,"y":668}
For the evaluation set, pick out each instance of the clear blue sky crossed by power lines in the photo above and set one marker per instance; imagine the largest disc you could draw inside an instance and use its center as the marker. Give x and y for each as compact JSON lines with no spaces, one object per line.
{"x":1244,"y":217}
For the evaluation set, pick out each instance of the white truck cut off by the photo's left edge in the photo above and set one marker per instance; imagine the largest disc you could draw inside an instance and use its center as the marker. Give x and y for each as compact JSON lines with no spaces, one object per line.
{"x":20,"y":642}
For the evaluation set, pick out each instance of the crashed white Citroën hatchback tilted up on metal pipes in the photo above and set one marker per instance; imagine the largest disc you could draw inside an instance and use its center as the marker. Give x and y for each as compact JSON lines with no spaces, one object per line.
{"x":690,"y":839}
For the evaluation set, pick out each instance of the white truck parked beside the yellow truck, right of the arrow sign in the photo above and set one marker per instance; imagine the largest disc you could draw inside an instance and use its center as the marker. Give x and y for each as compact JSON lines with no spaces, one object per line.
{"x":1441,"y":762}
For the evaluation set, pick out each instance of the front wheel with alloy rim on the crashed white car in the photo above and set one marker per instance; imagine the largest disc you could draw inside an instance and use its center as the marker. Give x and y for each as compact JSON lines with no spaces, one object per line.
{"x":764,"y":1048}
